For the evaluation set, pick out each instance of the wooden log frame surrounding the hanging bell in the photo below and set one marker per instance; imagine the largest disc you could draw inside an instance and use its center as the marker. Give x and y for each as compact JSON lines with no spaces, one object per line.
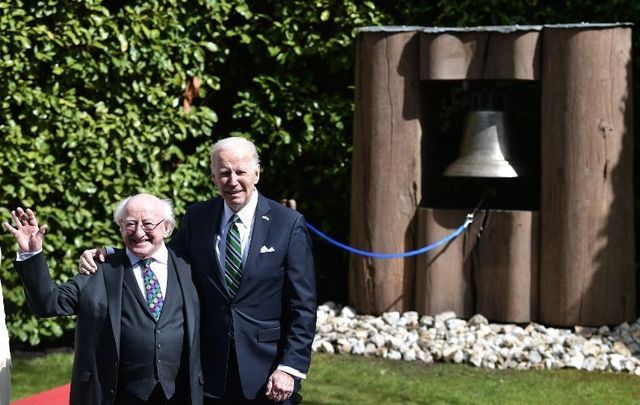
{"x":567,"y":259}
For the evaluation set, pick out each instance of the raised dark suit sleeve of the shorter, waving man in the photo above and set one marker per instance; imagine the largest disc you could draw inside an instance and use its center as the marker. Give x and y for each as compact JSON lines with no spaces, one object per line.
{"x":45,"y":298}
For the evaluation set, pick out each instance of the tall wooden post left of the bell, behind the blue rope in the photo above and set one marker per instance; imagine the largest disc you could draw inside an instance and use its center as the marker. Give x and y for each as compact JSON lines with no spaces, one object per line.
{"x":386,"y":173}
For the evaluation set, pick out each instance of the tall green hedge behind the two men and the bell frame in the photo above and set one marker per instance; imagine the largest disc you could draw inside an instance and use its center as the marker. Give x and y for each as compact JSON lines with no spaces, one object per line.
{"x":90,"y":108}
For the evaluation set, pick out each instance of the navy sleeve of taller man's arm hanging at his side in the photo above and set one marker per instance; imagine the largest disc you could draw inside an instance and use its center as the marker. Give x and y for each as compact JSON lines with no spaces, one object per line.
{"x":299,"y":303}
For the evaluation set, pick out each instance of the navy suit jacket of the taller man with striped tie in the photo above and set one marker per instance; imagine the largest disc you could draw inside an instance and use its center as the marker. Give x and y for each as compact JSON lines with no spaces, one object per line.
{"x":274,"y":311}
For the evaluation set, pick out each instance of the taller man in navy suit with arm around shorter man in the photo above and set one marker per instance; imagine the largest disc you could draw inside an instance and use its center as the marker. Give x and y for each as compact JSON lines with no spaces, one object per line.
{"x":252,"y":263}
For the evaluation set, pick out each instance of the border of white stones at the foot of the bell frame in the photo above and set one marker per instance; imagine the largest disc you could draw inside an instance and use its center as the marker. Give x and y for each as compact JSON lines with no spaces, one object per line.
{"x":445,"y":338}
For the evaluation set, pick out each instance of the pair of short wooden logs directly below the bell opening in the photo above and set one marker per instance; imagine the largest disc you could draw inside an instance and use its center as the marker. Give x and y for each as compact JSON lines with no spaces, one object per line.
{"x":491,"y":269}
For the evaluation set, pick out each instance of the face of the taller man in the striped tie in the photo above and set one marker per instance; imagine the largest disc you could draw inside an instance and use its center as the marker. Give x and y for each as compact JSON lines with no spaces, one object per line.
{"x":235,"y":176}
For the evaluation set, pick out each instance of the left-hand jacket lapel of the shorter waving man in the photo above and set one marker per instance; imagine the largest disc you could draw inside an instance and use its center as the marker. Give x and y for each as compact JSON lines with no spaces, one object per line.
{"x":113,"y":274}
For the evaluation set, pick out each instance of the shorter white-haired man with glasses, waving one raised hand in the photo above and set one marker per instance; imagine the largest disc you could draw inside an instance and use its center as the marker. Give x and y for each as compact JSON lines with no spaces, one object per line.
{"x":137,"y":334}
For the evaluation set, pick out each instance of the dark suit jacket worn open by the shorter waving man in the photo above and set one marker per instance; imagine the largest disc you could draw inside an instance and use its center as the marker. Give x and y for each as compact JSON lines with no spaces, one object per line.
{"x":96,"y":300}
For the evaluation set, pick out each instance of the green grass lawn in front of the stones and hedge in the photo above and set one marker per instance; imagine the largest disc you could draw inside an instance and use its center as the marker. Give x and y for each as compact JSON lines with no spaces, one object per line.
{"x":339,"y":379}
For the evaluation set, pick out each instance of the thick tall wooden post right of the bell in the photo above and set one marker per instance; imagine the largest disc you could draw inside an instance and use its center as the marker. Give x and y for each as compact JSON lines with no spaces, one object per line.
{"x":587,"y":239}
